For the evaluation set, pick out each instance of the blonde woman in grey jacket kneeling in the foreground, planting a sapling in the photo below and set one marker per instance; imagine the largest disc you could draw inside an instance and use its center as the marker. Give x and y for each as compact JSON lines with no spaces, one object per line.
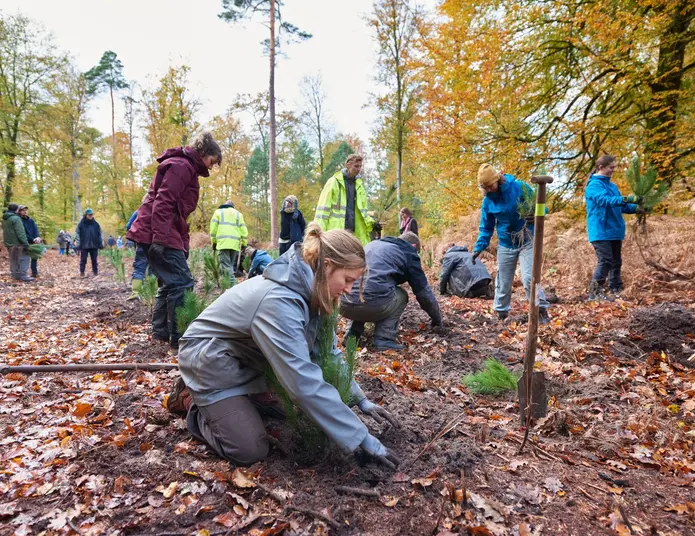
{"x":273,"y":320}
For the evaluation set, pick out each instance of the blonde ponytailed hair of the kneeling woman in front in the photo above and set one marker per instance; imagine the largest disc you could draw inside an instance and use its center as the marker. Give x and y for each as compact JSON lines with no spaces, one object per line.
{"x":341,"y":249}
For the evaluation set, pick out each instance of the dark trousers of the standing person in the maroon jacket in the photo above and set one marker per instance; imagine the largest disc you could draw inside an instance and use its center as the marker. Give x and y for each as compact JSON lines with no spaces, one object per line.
{"x":173,"y":279}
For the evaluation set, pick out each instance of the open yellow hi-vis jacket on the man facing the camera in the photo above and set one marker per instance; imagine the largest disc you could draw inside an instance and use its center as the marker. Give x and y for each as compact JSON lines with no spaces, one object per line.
{"x":332,"y":205}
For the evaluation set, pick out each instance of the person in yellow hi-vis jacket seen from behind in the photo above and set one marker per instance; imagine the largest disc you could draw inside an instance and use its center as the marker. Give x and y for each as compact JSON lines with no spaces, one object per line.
{"x":228,"y":234}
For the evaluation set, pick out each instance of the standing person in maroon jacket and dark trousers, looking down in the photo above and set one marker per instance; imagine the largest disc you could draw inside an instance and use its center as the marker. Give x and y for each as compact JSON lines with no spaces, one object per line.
{"x":162,"y":231}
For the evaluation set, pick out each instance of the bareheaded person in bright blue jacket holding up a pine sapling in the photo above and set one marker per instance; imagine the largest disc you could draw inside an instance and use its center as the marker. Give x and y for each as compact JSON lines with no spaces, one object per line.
{"x":605,"y":207}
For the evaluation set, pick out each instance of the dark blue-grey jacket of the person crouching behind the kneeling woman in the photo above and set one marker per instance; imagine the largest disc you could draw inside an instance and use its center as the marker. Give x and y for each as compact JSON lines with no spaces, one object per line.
{"x":391,"y":262}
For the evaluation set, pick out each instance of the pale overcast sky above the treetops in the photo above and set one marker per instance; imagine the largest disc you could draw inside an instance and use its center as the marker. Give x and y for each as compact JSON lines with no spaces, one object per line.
{"x":225,"y":59}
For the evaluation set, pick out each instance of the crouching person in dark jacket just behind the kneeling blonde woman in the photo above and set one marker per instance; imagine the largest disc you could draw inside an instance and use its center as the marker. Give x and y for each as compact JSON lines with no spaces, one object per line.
{"x":390,"y":262}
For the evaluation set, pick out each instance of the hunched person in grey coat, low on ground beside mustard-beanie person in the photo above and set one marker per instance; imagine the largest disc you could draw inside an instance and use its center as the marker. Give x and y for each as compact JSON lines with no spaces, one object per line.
{"x":462,"y":277}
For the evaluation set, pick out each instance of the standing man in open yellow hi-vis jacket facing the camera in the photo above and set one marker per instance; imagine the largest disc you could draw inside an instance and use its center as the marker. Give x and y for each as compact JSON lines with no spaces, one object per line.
{"x":343,"y":202}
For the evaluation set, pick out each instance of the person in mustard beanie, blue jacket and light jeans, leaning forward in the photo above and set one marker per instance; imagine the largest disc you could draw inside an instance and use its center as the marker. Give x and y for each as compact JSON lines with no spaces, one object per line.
{"x":504,"y":195}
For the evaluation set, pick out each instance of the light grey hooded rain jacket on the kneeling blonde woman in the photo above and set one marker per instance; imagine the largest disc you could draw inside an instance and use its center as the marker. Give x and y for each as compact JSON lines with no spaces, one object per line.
{"x":266,"y":321}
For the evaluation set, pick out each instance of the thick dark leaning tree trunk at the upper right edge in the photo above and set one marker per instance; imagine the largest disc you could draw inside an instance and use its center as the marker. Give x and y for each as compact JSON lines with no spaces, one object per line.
{"x":666,"y":86}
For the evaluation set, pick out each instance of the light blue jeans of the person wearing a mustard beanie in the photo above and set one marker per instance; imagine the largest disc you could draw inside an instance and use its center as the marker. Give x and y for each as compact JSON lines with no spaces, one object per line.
{"x":506,"y":267}
